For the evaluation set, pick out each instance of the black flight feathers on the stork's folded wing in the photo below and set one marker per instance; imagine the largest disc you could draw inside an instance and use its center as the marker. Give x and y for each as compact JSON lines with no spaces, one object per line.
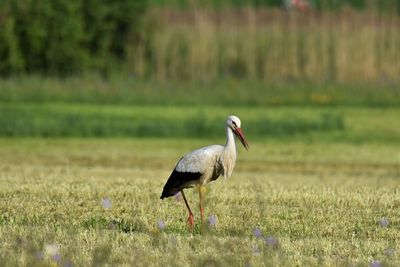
{"x":178,"y":181}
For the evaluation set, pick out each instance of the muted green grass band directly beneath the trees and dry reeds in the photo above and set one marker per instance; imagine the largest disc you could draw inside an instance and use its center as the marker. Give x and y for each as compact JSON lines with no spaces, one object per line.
{"x":129,"y":90}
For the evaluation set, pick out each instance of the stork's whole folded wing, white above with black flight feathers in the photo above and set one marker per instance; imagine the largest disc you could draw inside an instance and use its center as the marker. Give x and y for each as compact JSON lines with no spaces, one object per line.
{"x":190,"y":168}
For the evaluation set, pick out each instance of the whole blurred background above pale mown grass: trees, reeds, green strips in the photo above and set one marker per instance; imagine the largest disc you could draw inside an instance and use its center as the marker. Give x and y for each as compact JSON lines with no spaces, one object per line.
{"x":293,"y":69}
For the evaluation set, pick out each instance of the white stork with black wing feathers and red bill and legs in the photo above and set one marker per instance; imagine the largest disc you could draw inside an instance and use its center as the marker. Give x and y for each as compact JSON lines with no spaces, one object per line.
{"x":203,"y":165}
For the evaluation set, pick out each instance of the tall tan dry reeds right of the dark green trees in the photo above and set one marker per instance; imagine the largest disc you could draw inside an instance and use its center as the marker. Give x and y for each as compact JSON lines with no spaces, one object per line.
{"x":203,"y":44}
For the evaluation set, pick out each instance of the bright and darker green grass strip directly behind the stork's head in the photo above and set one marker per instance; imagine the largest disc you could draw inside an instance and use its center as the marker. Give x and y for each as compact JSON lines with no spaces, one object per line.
{"x":311,"y":124}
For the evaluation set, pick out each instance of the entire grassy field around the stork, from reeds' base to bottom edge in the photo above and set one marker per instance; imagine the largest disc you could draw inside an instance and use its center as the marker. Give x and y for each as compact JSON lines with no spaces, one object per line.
{"x":80,"y":179}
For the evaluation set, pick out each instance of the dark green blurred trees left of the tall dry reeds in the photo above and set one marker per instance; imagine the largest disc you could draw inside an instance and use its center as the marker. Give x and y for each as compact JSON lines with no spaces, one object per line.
{"x":61,"y":37}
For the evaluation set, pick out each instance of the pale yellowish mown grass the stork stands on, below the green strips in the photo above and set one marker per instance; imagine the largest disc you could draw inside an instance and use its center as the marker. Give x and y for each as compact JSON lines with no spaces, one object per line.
{"x":321,"y":201}
